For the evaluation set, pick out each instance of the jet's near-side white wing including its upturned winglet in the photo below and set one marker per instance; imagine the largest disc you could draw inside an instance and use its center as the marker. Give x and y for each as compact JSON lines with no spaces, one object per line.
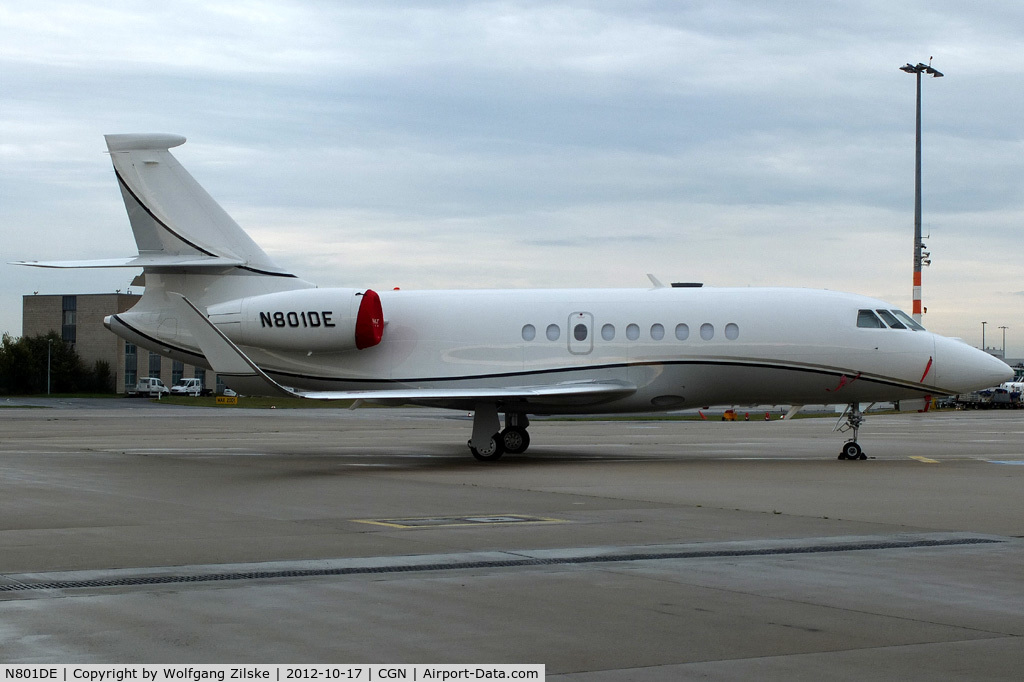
{"x":245,"y":376}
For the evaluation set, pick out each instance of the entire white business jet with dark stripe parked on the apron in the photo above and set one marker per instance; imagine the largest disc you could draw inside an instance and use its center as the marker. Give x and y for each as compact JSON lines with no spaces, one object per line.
{"x":214,"y":299}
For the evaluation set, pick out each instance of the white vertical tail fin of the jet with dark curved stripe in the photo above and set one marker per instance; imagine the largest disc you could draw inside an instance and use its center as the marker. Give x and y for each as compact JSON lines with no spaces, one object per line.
{"x":173,"y":217}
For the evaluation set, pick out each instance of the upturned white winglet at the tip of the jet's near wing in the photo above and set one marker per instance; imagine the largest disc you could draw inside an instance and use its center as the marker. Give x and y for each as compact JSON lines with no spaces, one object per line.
{"x":227,"y":360}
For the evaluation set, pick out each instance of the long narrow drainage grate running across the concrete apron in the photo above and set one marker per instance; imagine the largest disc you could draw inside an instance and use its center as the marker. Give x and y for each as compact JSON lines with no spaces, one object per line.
{"x":497,"y":564}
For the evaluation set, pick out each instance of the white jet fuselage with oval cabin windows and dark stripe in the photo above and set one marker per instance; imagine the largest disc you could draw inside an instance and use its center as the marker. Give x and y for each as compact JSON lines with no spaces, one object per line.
{"x":678,"y":347}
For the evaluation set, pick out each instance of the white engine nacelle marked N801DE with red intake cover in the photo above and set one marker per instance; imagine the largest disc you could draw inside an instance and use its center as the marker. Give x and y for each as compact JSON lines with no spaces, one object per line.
{"x":306,"y":320}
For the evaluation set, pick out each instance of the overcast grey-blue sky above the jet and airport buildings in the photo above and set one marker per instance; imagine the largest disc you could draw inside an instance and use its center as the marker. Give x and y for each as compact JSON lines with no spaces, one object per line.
{"x":480,"y":145}
